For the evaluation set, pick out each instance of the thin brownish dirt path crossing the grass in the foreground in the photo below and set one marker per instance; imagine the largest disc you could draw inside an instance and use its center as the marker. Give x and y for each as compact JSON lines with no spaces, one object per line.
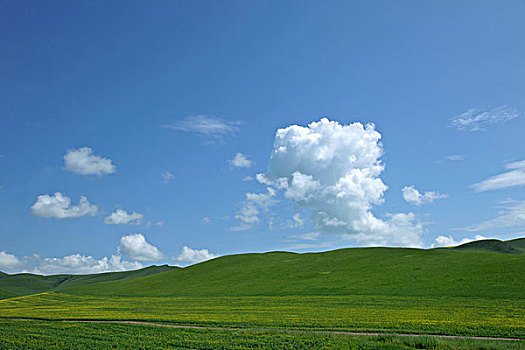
{"x":279,"y":330}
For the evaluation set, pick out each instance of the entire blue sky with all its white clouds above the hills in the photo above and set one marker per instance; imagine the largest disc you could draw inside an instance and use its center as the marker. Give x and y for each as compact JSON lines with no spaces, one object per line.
{"x":161,"y":114}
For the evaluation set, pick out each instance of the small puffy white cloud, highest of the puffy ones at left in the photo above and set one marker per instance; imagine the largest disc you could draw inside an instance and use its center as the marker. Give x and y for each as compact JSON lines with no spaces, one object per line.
{"x":83,"y":161}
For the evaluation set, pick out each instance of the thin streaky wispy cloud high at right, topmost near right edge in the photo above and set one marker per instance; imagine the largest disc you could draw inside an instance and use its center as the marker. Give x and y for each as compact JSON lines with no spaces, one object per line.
{"x":480,"y":119}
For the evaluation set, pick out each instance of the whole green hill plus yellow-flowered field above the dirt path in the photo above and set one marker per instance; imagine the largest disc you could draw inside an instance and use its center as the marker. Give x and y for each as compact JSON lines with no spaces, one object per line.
{"x":473,"y":292}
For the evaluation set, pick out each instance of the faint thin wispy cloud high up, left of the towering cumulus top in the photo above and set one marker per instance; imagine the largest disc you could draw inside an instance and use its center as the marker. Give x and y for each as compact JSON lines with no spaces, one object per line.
{"x":206,"y":126}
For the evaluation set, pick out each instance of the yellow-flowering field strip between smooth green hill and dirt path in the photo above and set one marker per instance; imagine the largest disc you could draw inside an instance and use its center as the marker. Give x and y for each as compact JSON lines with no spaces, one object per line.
{"x":447,"y":315}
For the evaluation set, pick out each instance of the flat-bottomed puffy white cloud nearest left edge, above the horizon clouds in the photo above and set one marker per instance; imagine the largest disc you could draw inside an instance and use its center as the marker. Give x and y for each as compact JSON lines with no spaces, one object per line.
{"x":59,"y":206}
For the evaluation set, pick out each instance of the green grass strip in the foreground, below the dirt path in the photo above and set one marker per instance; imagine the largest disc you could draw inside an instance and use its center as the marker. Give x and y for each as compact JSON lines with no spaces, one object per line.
{"x":18,"y":335}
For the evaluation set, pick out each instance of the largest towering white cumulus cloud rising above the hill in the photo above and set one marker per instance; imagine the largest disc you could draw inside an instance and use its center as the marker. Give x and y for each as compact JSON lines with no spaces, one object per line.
{"x":333,"y":171}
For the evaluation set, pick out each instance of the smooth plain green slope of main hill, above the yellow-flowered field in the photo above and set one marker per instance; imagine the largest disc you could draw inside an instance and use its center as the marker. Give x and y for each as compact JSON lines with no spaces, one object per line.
{"x":353,"y":271}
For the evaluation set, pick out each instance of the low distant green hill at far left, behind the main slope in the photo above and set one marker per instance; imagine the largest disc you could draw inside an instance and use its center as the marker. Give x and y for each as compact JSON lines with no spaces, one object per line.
{"x":26,"y":283}
